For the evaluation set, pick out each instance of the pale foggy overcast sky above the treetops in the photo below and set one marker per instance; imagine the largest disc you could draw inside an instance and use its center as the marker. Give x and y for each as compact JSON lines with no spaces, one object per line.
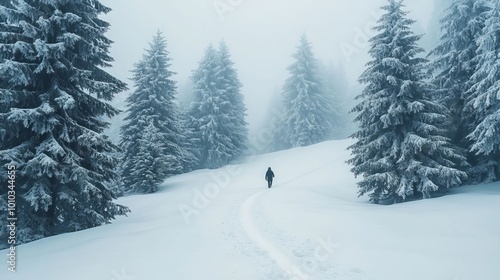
{"x":261,"y":34}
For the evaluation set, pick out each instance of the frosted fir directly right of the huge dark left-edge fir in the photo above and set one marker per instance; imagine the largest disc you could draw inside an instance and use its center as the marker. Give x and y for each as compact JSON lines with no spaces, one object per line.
{"x":151,"y":109}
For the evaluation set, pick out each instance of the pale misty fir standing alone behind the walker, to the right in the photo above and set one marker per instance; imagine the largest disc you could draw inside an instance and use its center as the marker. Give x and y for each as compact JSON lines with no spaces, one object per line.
{"x":308,"y":111}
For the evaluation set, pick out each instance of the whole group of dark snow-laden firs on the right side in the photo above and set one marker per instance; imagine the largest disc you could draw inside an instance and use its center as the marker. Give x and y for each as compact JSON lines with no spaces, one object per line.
{"x":428,"y":124}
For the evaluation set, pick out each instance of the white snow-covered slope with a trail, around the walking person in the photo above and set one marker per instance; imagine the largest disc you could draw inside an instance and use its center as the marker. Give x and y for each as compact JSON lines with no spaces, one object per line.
{"x":226,"y":224}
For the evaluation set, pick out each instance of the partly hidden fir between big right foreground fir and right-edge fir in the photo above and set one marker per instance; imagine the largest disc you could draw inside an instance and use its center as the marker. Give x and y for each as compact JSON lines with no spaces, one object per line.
{"x":454,"y":62}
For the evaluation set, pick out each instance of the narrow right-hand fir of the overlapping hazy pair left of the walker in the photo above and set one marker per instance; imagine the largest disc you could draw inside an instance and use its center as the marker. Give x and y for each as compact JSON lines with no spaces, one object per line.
{"x":229,"y":87}
